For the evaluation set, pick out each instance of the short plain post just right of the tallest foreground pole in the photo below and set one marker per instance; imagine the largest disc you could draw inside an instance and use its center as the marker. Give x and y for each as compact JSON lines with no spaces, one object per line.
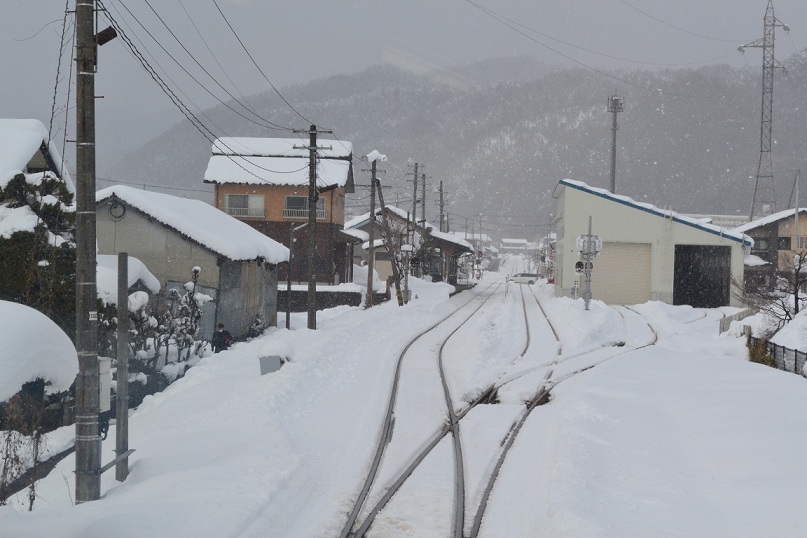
{"x":122,"y":411}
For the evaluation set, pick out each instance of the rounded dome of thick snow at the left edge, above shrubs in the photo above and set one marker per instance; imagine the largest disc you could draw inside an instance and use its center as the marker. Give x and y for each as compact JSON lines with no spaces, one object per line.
{"x":33,"y":347}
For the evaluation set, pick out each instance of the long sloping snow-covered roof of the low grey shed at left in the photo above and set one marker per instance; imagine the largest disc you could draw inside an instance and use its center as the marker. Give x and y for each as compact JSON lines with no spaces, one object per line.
{"x":202,"y":223}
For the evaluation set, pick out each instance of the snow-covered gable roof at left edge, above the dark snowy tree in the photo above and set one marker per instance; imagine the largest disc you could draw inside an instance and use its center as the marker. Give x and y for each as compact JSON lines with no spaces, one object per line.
{"x":20,"y":140}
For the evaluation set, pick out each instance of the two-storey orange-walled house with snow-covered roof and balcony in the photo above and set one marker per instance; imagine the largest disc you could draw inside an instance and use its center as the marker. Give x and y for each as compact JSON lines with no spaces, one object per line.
{"x":264,"y":183}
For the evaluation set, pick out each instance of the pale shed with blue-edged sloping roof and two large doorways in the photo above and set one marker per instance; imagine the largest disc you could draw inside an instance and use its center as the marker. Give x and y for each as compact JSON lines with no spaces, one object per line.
{"x":647,"y":253}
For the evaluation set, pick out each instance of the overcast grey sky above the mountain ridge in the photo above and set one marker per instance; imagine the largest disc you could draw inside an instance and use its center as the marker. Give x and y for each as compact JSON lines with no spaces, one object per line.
{"x":295,"y":42}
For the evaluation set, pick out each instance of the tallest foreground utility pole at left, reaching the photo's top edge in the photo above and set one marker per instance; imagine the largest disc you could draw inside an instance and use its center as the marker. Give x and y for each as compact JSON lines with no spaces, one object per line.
{"x":88,"y":440}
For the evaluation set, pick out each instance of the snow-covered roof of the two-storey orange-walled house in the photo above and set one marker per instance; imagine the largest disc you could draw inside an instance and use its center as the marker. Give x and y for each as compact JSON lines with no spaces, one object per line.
{"x":277,"y":161}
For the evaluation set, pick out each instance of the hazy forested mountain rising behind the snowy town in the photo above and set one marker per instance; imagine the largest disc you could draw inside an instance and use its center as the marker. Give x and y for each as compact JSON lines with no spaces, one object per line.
{"x":501,"y":134}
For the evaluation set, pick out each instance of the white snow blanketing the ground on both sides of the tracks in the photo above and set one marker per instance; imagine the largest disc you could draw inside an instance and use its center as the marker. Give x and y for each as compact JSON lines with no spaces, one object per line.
{"x":683,"y":438}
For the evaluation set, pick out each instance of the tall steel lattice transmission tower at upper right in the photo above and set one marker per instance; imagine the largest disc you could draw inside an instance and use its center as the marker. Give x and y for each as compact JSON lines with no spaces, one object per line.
{"x":764,"y":190}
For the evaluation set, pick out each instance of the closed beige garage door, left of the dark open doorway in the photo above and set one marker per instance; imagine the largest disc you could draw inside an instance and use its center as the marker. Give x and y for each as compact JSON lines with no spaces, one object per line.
{"x":622,"y":273}
